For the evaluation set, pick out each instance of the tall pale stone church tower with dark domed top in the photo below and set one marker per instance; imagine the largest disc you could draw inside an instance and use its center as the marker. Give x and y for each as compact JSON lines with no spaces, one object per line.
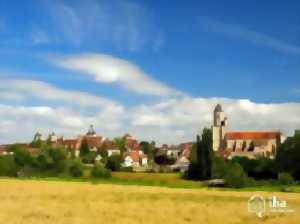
{"x":219,"y":128}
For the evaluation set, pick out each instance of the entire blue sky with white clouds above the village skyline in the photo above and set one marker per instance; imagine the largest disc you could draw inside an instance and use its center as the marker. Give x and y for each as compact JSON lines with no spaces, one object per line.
{"x":154,"y":69}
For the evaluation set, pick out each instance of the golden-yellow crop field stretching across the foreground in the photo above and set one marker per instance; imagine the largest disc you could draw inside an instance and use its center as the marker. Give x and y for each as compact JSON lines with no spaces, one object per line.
{"x":57,"y":202}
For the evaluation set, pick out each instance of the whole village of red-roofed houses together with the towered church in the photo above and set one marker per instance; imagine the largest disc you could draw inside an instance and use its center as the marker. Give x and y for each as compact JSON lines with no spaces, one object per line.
{"x":146,"y":156}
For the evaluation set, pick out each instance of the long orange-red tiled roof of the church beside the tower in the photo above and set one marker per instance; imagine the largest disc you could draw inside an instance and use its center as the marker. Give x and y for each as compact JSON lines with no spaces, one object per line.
{"x":252,"y":135}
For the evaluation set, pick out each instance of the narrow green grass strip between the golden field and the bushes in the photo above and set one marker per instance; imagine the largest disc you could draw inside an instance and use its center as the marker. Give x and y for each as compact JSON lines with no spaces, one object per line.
{"x":169,"y":180}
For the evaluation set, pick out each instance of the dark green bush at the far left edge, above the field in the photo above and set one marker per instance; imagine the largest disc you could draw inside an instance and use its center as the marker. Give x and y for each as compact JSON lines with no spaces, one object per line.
{"x":8,"y":167}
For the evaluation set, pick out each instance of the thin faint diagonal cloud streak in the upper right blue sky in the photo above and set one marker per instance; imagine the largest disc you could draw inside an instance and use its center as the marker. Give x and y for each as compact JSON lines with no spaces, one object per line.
{"x":249,"y":35}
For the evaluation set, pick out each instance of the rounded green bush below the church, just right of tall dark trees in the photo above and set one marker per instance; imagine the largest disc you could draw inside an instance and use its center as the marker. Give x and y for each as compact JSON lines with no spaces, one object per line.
{"x":235,"y":176}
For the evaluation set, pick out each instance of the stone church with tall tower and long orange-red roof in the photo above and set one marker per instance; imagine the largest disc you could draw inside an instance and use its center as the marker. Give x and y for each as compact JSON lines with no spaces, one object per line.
{"x":242,"y":143}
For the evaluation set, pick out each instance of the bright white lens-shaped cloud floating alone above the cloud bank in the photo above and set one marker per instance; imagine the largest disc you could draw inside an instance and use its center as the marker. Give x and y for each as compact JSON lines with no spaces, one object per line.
{"x":108,"y":69}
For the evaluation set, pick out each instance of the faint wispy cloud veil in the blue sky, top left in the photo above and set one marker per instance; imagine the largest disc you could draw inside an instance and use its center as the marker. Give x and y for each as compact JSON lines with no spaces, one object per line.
{"x":124,"y":24}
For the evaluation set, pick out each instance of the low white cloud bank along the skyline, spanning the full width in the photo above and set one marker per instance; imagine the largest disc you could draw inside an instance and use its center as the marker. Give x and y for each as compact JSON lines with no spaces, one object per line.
{"x":171,"y":121}
